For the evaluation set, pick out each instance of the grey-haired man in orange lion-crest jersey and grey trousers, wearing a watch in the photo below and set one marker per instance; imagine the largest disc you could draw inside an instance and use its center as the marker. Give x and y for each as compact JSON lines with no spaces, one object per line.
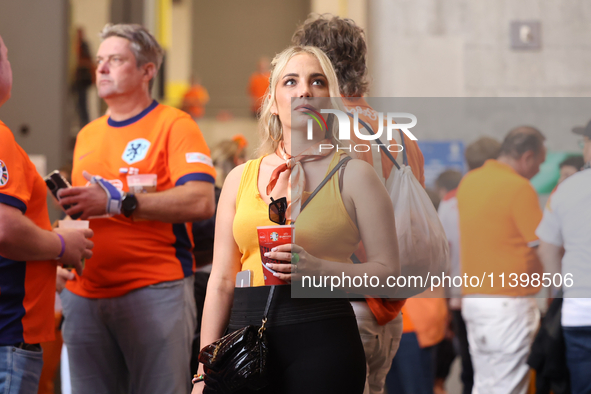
{"x":141,"y":174}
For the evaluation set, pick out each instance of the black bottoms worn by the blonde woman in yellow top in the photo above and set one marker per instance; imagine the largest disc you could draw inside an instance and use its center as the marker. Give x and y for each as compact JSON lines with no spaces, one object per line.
{"x":314,"y":344}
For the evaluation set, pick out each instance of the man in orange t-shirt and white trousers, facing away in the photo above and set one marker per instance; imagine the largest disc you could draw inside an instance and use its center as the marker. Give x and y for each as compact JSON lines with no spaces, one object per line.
{"x":499,"y":212}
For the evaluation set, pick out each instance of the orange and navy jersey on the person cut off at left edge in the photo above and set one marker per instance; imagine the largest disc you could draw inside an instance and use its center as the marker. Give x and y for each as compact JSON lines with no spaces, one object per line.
{"x":27,"y":289}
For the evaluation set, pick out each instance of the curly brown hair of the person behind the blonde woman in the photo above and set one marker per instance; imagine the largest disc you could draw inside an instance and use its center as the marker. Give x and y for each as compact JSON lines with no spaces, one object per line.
{"x":344,"y":44}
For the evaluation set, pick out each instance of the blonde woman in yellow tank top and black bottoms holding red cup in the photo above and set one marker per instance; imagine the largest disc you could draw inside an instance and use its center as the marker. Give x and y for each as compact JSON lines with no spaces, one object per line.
{"x":314,"y":343}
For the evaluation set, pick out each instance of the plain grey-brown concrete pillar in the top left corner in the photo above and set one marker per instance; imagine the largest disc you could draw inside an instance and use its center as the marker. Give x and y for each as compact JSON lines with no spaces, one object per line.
{"x":36,"y":35}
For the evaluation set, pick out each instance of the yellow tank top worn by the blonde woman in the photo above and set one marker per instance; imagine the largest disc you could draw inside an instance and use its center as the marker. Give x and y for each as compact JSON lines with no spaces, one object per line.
{"x":324,"y":229}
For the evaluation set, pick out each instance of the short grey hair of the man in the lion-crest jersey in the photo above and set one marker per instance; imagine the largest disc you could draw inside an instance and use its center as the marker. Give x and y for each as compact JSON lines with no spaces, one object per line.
{"x":144,"y":46}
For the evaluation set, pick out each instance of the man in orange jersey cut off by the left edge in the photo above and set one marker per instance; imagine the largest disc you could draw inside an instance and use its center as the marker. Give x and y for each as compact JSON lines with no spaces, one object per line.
{"x":28,"y":254}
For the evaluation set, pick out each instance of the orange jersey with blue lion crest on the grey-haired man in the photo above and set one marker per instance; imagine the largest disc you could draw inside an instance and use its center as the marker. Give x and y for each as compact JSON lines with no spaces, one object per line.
{"x":129,"y":254}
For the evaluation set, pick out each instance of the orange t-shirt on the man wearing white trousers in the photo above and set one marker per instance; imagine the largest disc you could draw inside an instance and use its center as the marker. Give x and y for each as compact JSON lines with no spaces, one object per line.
{"x":499,"y":213}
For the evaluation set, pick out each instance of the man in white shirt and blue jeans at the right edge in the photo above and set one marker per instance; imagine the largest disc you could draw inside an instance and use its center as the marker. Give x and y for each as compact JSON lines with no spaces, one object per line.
{"x":567,"y":224}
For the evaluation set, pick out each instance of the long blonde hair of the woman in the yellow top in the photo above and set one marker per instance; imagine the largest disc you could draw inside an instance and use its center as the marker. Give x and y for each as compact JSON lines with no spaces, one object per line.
{"x":270,"y":129}
